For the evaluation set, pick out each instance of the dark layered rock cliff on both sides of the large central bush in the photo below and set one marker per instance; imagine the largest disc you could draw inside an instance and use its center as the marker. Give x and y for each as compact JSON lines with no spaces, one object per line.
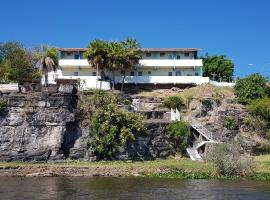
{"x":46,"y":126}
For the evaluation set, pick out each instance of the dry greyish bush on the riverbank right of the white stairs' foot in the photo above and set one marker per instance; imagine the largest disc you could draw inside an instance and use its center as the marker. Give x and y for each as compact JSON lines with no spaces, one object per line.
{"x":228,"y":159}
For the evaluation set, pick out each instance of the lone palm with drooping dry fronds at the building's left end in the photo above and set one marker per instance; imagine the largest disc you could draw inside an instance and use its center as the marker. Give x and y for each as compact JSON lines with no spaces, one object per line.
{"x":48,"y":61}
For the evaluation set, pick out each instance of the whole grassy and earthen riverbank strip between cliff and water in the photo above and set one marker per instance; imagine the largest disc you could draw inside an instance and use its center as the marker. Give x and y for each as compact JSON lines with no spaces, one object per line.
{"x":181,"y":168}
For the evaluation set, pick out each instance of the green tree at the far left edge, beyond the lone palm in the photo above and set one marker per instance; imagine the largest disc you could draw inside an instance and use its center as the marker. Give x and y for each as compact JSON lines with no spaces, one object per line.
{"x":15,"y":63}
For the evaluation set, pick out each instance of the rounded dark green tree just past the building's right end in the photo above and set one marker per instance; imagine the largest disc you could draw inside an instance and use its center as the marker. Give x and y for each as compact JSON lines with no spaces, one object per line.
{"x":220,"y":66}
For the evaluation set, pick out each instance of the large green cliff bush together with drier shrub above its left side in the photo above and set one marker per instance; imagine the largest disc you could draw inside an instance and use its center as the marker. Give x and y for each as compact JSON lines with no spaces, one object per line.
{"x":111,"y":127}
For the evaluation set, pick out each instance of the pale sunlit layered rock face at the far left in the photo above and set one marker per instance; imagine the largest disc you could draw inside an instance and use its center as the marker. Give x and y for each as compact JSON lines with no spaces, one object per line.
{"x":34,"y":127}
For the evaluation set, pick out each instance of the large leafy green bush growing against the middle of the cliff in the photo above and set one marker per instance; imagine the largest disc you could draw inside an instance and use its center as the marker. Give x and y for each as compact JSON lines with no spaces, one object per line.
{"x":111,"y":129}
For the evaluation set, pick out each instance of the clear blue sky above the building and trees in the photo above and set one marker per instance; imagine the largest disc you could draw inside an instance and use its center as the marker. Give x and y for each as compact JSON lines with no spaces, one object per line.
{"x":239,"y":29}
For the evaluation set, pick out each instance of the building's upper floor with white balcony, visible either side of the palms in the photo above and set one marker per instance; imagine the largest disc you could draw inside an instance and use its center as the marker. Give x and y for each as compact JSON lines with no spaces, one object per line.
{"x":151,"y":57}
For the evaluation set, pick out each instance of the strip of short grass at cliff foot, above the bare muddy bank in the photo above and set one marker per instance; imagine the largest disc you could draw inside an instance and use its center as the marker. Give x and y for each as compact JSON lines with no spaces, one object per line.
{"x":262,"y":164}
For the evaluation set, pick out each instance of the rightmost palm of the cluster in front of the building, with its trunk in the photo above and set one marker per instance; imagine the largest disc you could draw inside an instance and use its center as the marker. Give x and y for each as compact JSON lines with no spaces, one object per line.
{"x":132,"y":55}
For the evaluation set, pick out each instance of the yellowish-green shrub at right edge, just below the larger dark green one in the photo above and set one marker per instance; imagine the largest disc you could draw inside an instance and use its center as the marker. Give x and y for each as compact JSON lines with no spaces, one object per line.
{"x":260,"y":107}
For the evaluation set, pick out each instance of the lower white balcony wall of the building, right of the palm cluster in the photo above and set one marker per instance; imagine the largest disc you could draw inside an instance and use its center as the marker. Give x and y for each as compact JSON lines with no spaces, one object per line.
{"x":198,"y":80}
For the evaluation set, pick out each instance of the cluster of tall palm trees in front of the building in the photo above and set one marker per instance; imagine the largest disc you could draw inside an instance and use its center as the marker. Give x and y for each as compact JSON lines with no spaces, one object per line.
{"x":113,"y":56}
